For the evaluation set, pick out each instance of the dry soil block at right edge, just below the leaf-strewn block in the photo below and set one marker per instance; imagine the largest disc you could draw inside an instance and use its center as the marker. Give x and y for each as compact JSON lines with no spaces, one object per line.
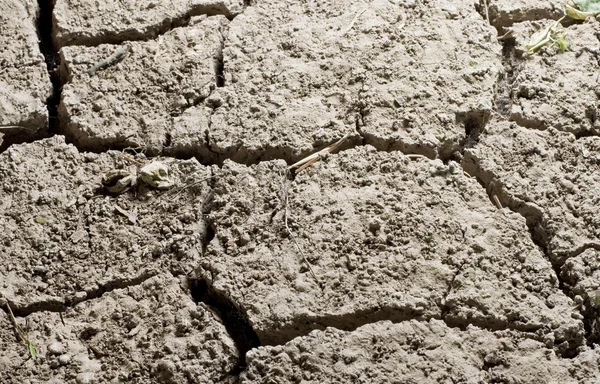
{"x":549,"y":176}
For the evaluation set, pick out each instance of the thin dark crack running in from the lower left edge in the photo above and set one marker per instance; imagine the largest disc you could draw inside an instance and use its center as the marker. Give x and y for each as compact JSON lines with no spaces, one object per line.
{"x":57,"y":305}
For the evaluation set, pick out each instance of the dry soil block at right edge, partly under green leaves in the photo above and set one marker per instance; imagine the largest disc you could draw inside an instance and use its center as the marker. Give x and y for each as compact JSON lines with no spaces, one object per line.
{"x":559,"y":90}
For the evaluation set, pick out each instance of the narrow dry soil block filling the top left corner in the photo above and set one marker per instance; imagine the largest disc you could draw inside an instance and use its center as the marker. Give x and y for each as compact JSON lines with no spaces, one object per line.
{"x":24,"y":81}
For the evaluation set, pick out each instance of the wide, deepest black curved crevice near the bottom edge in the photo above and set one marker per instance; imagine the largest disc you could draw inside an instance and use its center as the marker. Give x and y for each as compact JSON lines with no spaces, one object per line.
{"x":234,"y":320}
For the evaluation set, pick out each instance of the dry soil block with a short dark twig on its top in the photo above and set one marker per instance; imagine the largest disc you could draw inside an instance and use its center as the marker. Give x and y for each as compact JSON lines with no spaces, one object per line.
{"x":138,"y":99}
